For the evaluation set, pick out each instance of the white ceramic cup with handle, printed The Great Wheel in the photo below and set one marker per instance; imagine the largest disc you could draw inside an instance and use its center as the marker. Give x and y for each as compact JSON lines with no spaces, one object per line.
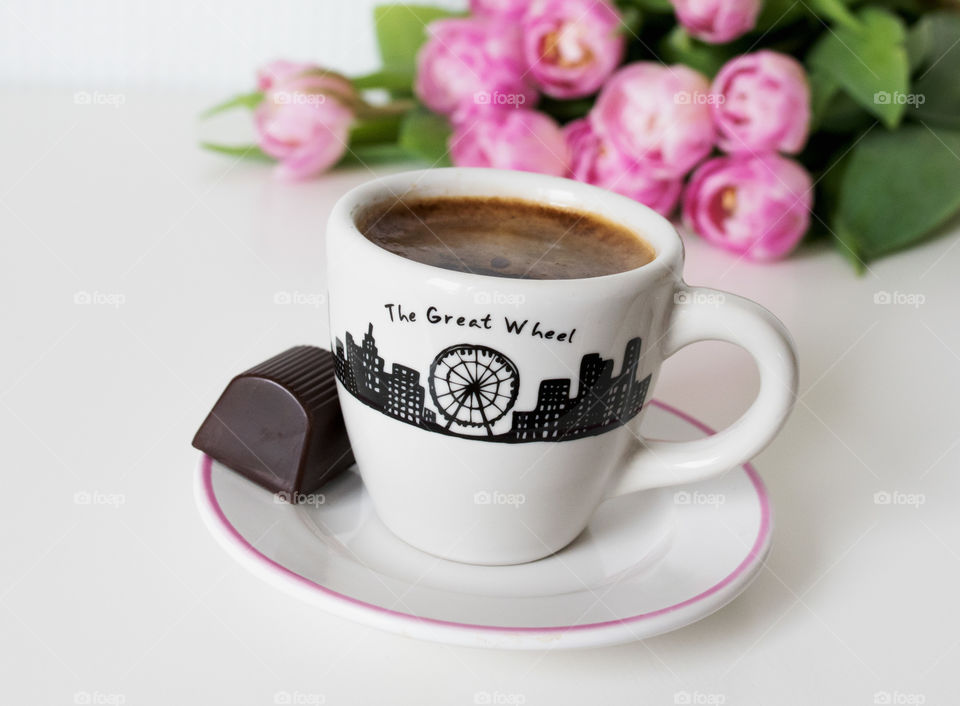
{"x":514,"y":476}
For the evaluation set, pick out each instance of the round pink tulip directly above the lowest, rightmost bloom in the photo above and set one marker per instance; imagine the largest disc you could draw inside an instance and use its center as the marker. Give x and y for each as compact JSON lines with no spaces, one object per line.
{"x":763,"y":104}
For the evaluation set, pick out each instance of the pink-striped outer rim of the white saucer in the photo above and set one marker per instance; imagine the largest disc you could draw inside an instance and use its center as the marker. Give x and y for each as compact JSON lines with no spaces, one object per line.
{"x":704,"y":603}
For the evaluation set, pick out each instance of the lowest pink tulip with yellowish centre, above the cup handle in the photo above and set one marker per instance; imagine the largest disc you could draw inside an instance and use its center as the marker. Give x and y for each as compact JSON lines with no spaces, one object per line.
{"x":755,"y":205}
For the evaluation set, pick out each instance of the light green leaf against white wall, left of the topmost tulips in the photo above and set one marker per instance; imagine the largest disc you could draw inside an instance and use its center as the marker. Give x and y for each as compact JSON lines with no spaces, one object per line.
{"x":400,"y":32}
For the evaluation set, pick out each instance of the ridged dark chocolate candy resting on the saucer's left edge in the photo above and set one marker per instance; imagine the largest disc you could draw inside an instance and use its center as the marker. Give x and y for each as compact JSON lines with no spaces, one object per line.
{"x":279,"y":424}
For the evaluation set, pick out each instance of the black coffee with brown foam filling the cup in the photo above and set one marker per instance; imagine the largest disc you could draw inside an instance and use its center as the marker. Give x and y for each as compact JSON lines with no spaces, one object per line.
{"x":504,"y":238}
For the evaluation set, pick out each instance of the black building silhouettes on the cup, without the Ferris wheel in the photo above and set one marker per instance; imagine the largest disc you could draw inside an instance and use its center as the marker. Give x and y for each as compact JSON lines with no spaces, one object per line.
{"x":603,"y":401}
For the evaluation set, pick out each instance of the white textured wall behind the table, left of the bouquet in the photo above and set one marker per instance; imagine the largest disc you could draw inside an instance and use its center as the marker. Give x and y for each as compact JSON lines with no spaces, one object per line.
{"x":95,"y":44}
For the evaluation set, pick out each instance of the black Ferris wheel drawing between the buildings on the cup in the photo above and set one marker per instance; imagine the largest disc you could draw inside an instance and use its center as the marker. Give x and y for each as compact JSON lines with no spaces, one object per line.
{"x":473,"y":386}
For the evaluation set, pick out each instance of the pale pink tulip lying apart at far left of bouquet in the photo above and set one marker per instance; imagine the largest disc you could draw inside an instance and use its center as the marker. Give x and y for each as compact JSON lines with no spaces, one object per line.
{"x":304,"y":122}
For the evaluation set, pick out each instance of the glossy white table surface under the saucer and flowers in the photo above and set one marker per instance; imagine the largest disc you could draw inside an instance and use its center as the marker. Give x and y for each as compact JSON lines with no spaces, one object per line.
{"x":129,"y":599}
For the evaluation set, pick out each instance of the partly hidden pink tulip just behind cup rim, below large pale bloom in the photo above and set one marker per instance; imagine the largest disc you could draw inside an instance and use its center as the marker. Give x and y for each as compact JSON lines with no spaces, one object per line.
{"x":594,"y":162}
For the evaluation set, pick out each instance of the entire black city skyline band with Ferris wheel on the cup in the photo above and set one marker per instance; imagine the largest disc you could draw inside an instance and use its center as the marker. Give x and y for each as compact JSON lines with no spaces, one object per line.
{"x":473,"y":387}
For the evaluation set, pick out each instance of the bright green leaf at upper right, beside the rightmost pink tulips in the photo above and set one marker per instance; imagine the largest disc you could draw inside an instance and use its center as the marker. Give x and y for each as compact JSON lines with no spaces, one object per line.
{"x":870,"y":63}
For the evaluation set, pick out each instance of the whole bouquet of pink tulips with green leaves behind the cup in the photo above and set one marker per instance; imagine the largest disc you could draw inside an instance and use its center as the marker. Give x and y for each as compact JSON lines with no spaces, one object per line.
{"x":760,"y":121}
